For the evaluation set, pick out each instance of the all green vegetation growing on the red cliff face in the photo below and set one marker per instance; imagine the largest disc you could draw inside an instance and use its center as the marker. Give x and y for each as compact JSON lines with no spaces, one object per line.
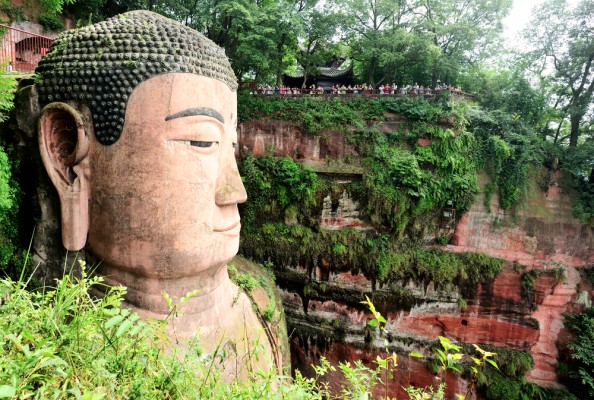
{"x":404,"y":188}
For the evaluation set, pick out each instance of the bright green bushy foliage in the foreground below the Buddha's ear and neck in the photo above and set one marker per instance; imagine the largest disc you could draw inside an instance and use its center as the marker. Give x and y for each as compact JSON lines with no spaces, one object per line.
{"x":63,"y":343}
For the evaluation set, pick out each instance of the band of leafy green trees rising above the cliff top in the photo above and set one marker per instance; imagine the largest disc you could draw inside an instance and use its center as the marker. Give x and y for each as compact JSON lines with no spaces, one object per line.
{"x":548,"y":86}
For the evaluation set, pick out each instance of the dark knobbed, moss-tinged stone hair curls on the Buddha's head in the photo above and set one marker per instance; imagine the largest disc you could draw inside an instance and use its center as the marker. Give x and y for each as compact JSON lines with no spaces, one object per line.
{"x":101,"y":64}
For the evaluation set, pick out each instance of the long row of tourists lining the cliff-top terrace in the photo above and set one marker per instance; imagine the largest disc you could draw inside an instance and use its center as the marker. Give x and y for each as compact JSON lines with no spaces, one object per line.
{"x":364,"y":88}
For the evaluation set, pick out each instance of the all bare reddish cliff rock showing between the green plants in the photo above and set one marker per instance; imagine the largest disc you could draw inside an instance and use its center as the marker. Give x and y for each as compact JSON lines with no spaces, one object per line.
{"x":518,"y":309}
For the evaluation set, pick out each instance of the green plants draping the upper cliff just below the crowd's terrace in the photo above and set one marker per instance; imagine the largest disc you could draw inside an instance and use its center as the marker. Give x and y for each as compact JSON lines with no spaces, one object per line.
{"x":465,"y":140}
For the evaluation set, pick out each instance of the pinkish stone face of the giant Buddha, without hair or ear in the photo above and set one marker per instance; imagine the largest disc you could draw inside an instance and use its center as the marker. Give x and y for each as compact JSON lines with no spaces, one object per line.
{"x":163,"y":199}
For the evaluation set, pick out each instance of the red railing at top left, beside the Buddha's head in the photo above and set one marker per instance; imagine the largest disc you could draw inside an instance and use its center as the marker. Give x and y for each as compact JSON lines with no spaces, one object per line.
{"x":21,"y":51}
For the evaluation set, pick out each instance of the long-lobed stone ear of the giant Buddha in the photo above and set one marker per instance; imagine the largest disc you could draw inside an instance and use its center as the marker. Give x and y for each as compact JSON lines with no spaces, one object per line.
{"x":64,"y":147}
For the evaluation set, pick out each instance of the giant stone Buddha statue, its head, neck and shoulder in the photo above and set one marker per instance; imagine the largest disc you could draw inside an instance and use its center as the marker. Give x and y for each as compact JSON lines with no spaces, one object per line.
{"x":137,"y":134}
